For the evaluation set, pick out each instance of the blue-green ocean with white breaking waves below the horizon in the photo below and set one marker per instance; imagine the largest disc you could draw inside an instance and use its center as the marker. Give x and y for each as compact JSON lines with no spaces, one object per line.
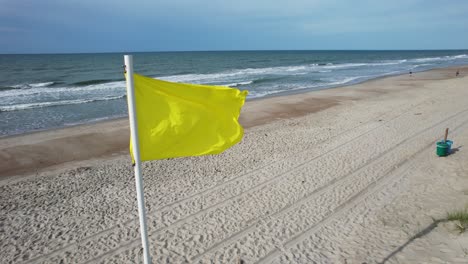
{"x":46,"y":91}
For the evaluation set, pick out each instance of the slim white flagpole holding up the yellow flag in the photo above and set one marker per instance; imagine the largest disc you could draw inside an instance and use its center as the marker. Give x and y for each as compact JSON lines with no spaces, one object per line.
{"x":136,"y":155}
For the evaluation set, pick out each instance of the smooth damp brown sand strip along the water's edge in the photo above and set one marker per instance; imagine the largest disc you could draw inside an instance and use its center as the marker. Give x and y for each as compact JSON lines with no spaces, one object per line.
{"x":33,"y":152}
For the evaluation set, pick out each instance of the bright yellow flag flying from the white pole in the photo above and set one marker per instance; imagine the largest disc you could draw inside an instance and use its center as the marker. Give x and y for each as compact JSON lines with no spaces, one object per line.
{"x":180,"y":120}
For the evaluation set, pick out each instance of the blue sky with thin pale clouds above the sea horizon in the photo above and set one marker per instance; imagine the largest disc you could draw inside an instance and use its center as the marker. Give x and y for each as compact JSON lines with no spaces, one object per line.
{"x":62,"y":26}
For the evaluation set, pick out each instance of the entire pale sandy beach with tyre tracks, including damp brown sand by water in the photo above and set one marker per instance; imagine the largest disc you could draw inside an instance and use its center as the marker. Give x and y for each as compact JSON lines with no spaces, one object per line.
{"x":344,"y":175}
